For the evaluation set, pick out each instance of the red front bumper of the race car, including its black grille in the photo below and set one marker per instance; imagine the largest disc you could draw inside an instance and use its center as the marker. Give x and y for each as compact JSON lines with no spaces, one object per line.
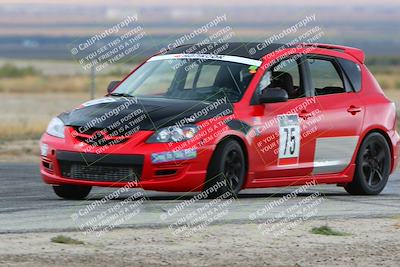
{"x":66,"y":161}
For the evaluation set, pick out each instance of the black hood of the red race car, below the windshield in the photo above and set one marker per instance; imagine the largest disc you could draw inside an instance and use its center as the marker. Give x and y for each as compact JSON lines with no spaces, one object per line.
{"x":142,"y":113}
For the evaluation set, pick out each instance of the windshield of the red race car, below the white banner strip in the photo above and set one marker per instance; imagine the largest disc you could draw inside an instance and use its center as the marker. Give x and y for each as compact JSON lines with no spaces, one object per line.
{"x":190,"y":79}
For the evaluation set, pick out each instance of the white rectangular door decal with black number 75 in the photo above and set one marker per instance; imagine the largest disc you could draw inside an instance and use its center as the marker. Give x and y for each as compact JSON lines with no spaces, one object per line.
{"x":289,"y":139}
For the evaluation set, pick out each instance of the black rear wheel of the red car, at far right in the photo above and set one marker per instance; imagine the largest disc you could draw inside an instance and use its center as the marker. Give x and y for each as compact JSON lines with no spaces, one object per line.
{"x":372,"y":166}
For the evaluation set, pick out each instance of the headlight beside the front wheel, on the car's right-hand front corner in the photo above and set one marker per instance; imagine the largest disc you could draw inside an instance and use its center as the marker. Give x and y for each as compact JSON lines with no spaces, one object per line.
{"x":174,"y":134}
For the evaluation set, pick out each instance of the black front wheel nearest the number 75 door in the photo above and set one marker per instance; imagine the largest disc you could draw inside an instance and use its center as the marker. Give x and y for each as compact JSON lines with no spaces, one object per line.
{"x":226,"y":171}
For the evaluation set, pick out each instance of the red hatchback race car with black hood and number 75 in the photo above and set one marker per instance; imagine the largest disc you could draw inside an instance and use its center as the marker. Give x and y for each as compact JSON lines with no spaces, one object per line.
{"x":218,"y":119}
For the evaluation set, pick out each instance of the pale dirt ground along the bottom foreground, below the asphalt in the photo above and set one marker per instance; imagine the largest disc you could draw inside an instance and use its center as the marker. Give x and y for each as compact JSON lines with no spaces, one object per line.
{"x":372,"y":242}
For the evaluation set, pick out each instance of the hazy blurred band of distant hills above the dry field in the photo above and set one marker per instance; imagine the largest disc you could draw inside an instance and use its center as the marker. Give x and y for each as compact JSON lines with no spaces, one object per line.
{"x":46,"y":29}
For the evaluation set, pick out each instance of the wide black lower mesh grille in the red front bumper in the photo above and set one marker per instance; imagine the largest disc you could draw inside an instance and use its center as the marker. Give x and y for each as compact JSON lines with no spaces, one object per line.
{"x":102,"y":168}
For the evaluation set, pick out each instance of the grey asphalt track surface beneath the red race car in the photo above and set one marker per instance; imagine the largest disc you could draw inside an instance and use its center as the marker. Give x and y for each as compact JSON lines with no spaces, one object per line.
{"x":29,"y":205}
